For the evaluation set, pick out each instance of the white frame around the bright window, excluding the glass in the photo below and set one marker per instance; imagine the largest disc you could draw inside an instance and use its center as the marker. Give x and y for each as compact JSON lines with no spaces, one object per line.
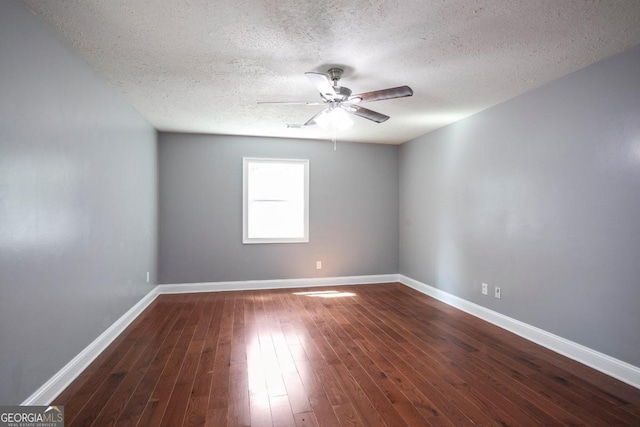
{"x":245,"y":202}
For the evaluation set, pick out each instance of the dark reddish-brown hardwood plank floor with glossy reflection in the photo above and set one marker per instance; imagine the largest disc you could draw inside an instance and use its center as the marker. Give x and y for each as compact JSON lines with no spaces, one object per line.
{"x":370,"y":355}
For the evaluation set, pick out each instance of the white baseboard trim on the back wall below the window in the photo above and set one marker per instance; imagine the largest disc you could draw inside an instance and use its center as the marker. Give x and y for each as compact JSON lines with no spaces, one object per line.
{"x":250,"y":285}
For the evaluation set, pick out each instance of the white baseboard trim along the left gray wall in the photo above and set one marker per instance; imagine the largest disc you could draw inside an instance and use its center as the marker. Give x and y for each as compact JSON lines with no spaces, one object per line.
{"x":56,"y":384}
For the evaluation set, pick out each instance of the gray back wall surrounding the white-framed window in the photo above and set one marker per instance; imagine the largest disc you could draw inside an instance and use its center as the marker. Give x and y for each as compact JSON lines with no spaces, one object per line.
{"x":353,"y":210}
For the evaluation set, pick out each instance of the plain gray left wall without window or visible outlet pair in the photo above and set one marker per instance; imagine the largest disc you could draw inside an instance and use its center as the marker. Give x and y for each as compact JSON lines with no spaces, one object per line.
{"x":78,"y":218}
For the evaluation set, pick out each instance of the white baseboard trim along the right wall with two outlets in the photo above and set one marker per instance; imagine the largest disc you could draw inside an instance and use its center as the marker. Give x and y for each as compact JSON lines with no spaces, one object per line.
{"x":606,"y":364}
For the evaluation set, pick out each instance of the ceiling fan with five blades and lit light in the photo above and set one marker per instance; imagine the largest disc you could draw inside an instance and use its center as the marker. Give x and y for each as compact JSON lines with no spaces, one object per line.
{"x":338,"y":98}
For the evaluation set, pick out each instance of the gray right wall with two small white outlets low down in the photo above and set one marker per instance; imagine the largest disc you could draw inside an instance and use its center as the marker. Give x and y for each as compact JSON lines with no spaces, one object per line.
{"x":540,"y":196}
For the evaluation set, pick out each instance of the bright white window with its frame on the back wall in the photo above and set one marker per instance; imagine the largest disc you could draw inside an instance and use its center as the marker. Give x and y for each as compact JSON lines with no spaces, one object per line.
{"x":275,"y":205}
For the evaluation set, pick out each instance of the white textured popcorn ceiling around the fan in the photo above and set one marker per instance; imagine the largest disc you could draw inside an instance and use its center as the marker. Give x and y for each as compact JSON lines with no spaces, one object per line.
{"x":201,"y":66}
